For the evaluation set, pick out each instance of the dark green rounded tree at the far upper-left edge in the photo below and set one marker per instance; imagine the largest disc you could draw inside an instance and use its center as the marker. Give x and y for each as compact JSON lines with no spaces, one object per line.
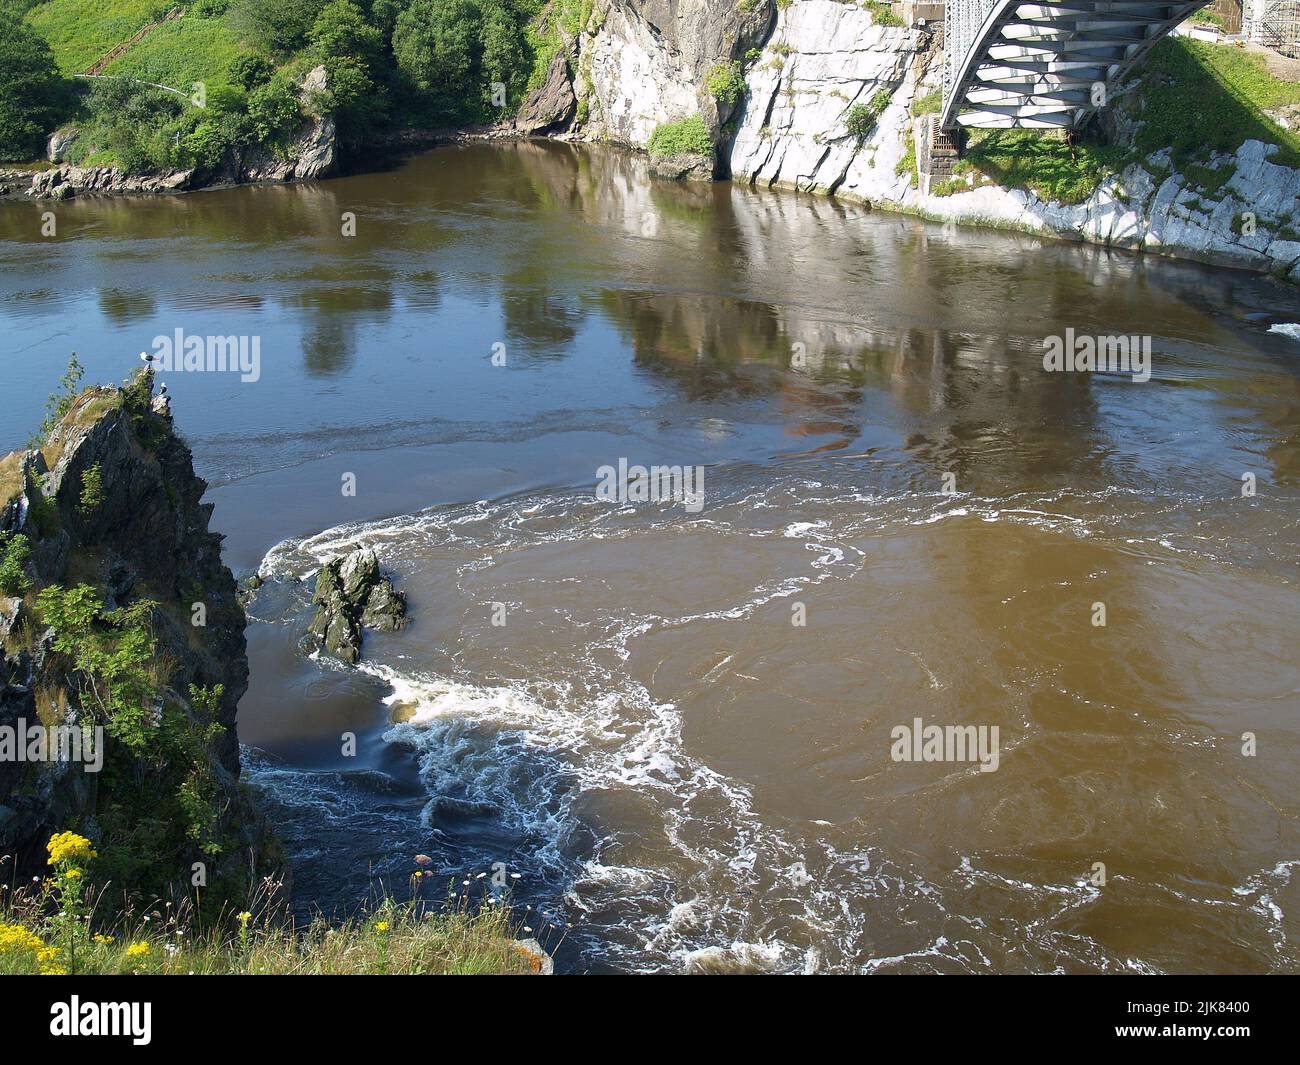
{"x":34,"y":97}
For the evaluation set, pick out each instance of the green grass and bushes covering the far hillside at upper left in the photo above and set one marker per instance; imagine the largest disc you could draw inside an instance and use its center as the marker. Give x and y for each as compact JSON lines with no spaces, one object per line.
{"x":236,"y":68}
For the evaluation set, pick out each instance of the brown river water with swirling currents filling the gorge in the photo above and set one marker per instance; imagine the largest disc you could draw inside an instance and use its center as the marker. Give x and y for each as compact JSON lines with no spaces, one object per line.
{"x":681,"y":742}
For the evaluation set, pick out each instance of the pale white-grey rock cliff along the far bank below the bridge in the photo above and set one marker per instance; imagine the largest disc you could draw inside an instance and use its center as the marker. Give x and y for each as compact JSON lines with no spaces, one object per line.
{"x":812,"y":64}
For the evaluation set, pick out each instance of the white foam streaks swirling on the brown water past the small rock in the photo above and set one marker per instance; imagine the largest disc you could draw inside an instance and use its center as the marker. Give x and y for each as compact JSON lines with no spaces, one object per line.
{"x":532,"y":751}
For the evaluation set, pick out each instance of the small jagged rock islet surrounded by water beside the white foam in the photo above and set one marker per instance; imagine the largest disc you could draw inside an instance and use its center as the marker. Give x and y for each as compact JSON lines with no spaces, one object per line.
{"x":353,"y":595}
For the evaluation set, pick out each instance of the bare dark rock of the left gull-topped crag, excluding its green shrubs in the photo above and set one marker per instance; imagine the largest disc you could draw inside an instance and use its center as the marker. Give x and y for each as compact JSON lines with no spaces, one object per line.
{"x":146,"y":539}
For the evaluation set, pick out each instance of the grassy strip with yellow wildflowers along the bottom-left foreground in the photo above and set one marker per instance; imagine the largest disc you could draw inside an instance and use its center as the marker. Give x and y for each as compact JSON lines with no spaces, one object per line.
{"x":57,"y":928}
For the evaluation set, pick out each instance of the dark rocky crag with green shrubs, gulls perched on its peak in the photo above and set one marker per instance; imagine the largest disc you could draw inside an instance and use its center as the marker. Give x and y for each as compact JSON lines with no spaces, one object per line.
{"x":110,"y":508}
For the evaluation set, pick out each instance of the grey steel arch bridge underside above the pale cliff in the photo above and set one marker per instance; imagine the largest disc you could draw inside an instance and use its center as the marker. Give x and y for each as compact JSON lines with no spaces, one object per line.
{"x":1013,"y":64}
